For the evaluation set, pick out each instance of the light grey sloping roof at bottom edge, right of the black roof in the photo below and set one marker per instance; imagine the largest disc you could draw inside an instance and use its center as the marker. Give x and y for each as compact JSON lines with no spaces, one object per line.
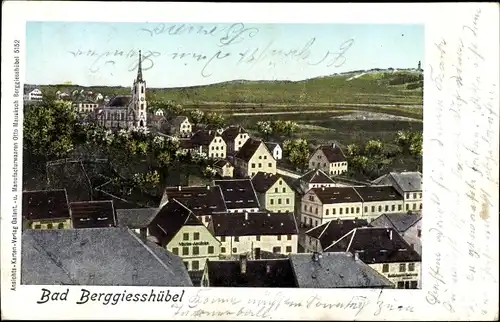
{"x":335,"y":270}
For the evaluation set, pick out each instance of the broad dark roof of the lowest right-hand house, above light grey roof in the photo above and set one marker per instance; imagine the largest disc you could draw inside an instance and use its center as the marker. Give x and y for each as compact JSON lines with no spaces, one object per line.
{"x":376,"y":245}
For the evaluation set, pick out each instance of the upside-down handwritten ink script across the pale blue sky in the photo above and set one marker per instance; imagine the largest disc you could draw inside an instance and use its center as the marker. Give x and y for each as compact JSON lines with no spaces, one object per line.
{"x":269,"y":54}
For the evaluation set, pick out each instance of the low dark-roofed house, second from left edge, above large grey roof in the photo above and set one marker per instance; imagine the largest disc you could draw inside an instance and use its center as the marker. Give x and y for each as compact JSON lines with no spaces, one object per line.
{"x":93,"y":214}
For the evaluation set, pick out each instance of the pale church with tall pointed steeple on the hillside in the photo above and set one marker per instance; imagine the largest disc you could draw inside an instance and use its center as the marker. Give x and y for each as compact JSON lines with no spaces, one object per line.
{"x":127,"y":111}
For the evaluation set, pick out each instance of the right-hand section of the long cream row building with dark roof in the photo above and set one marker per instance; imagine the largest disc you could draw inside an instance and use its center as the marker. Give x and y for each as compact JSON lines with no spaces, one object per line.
{"x":378,"y":200}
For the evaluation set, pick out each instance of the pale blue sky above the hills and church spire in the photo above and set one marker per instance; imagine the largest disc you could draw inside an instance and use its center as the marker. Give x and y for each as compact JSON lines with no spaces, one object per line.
{"x":190,"y":54}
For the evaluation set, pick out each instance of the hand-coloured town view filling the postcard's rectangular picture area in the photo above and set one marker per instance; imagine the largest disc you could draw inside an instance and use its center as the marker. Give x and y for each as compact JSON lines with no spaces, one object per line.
{"x":223,"y":155}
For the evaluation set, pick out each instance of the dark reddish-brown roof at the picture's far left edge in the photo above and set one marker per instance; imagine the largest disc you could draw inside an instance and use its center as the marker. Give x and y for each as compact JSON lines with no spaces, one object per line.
{"x":45,"y":204}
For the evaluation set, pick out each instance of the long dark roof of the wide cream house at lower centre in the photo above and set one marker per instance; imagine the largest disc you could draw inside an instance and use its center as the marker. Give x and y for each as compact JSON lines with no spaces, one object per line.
{"x":255,"y":224}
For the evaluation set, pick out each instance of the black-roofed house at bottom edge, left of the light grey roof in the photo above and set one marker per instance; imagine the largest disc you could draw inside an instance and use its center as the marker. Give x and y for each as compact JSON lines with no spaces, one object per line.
{"x":248,"y":273}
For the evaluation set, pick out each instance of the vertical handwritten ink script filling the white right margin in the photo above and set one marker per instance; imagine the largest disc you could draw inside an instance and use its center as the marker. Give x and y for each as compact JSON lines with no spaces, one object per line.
{"x":465,"y":124}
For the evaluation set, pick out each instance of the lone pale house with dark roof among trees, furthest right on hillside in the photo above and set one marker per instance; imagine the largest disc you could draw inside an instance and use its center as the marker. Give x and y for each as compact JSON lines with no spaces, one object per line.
{"x":328,"y":158}
